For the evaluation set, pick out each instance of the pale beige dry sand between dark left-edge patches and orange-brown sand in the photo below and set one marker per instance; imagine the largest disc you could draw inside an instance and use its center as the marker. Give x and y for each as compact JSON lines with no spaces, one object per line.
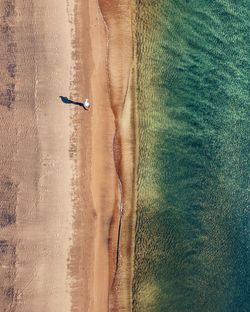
{"x":39,"y":134}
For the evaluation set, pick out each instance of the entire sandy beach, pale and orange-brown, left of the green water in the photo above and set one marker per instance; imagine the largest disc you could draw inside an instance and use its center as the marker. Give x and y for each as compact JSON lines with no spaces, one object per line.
{"x":67,"y":175}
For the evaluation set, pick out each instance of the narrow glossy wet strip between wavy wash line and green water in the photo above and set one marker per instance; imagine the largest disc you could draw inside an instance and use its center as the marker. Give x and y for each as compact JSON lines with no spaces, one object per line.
{"x":118,"y":19}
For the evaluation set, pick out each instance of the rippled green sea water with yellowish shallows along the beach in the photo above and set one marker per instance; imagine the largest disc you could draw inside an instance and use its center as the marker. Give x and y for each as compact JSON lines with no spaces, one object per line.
{"x":193,"y":218}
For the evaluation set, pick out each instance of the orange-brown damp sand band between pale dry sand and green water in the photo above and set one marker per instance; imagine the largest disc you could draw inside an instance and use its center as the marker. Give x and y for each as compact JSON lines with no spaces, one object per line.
{"x":105,"y":140}
